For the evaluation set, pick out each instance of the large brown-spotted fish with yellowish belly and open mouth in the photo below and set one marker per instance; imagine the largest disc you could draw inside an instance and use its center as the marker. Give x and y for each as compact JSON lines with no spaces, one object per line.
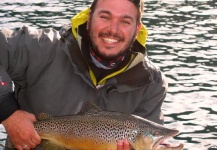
{"x":93,"y":129}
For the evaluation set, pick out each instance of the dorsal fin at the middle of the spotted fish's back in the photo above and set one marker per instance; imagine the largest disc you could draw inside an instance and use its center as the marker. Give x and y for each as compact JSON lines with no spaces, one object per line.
{"x":89,"y":107}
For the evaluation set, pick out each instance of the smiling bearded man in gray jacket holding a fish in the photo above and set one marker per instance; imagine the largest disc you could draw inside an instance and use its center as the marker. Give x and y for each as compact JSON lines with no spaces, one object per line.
{"x":101,"y":56}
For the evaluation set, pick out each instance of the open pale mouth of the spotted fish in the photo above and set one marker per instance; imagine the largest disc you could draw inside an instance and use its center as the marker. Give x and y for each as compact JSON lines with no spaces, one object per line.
{"x":160,"y":144}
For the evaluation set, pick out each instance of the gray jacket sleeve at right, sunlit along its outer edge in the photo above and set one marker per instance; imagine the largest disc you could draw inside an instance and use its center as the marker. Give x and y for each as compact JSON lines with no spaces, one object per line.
{"x":153,"y":97}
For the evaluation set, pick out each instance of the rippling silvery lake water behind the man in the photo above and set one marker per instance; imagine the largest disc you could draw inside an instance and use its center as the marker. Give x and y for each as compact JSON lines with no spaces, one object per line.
{"x":182,"y":41}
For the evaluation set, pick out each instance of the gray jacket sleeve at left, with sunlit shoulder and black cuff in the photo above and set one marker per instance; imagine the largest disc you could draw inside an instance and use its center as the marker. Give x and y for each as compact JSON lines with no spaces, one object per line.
{"x":23,"y":52}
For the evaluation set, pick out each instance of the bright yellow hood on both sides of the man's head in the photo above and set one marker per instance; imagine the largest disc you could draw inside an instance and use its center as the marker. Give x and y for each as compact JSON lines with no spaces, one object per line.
{"x":82,"y":17}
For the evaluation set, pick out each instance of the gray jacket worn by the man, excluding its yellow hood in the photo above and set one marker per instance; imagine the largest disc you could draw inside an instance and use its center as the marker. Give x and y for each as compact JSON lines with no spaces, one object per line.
{"x":51,"y":76}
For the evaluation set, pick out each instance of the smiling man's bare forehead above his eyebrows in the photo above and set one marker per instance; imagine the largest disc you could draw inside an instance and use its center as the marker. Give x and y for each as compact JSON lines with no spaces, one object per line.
{"x":117,"y":7}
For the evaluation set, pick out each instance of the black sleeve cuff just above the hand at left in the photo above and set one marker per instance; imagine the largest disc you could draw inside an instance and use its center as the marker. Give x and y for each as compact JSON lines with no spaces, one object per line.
{"x":8,"y":105}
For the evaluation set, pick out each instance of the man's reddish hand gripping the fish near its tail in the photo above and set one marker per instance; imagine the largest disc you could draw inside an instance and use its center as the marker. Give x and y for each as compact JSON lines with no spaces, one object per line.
{"x":19,"y":127}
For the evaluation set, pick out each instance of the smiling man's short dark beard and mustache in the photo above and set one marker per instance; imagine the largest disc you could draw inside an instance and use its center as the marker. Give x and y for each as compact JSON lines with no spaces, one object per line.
{"x":103,"y":56}
